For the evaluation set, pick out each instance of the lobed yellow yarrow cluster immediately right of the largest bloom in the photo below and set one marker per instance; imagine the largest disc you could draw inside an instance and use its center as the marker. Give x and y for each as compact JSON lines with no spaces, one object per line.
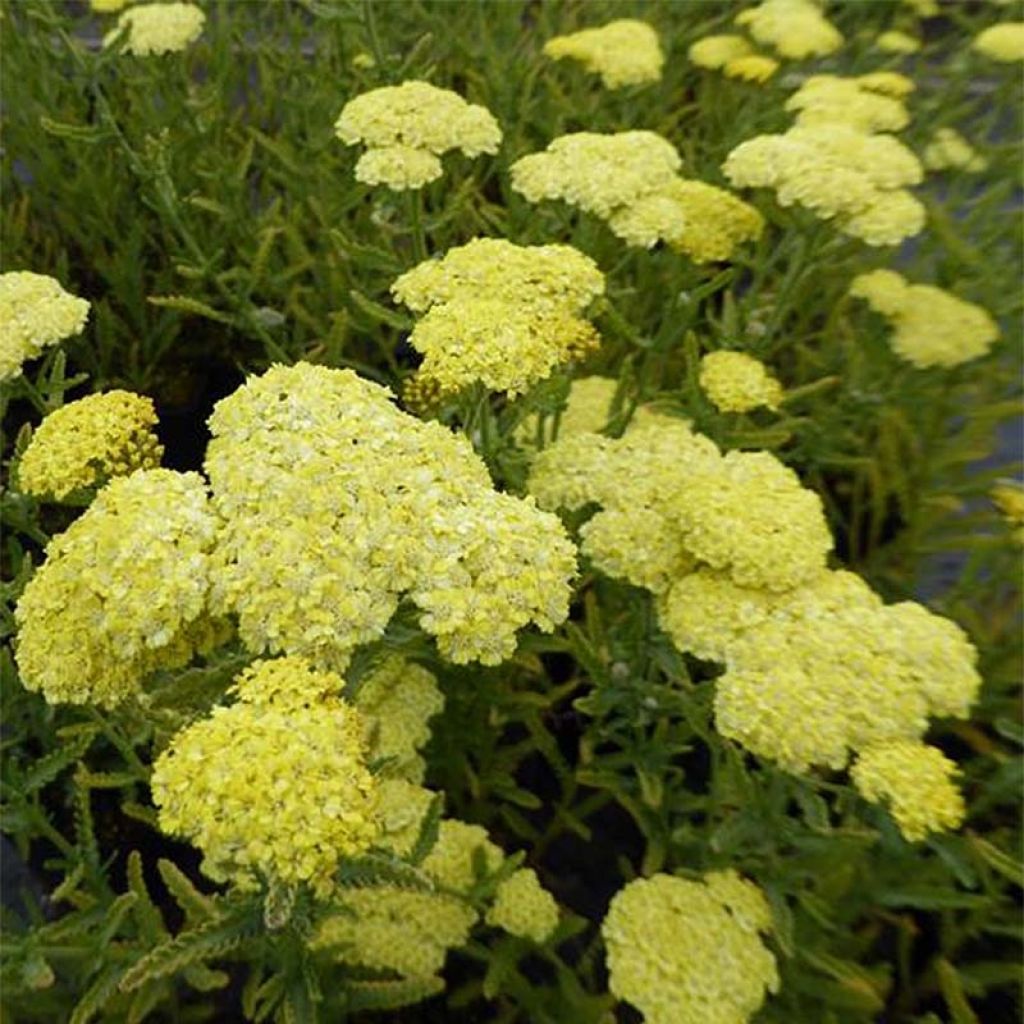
{"x":671,"y":502}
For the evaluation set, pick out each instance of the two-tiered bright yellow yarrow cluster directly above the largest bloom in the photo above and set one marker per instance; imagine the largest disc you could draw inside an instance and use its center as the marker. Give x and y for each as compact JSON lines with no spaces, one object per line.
{"x":500,"y":314}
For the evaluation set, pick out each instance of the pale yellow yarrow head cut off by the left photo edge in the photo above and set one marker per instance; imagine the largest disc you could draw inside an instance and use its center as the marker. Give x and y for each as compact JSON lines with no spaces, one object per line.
{"x":35,"y":313}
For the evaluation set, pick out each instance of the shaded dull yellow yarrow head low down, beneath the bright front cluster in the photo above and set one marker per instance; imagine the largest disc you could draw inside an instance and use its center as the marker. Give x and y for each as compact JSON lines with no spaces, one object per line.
{"x":390,"y":929}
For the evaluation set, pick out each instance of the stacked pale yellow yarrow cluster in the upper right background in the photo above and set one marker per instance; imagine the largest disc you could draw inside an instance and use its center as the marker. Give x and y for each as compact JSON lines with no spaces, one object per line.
{"x":834,"y":163}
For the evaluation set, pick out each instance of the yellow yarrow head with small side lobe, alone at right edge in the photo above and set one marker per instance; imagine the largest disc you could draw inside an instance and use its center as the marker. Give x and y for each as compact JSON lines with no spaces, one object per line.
{"x":931,"y":328}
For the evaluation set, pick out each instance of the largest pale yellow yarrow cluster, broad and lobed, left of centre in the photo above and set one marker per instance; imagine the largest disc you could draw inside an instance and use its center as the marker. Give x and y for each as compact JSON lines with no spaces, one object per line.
{"x":334,"y":504}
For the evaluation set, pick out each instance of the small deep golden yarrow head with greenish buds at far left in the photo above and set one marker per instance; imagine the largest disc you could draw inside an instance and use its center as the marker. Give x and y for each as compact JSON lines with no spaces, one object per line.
{"x":89,"y":442}
